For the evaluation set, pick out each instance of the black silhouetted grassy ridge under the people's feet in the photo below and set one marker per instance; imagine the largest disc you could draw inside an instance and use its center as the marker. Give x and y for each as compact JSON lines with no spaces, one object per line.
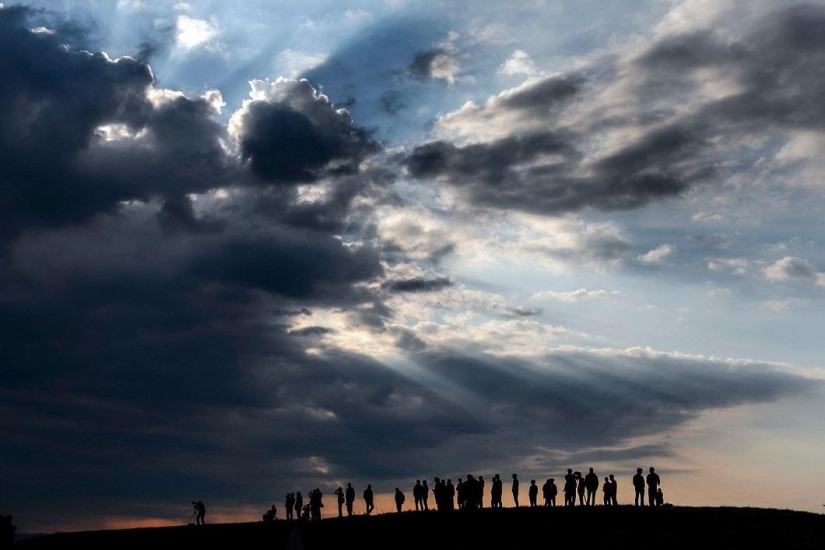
{"x":512,"y":528}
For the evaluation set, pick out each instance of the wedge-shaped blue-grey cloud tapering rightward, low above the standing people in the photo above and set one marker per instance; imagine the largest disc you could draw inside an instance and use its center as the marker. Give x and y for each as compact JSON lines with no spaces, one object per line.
{"x":550,"y":405}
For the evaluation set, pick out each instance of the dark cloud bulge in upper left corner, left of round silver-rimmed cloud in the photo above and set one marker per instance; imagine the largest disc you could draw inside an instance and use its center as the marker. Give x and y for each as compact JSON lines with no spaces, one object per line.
{"x":56,"y":165}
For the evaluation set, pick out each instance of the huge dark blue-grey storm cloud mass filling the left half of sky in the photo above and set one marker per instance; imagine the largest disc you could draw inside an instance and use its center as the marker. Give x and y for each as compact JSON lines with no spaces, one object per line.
{"x":148,"y":283}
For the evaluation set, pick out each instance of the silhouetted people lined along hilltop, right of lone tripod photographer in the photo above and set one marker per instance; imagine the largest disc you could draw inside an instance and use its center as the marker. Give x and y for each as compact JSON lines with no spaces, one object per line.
{"x":468,"y":494}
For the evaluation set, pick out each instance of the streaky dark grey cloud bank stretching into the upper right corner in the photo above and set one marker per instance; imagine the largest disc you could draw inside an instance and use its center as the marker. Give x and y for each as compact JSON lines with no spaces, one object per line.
{"x":550,"y":171}
